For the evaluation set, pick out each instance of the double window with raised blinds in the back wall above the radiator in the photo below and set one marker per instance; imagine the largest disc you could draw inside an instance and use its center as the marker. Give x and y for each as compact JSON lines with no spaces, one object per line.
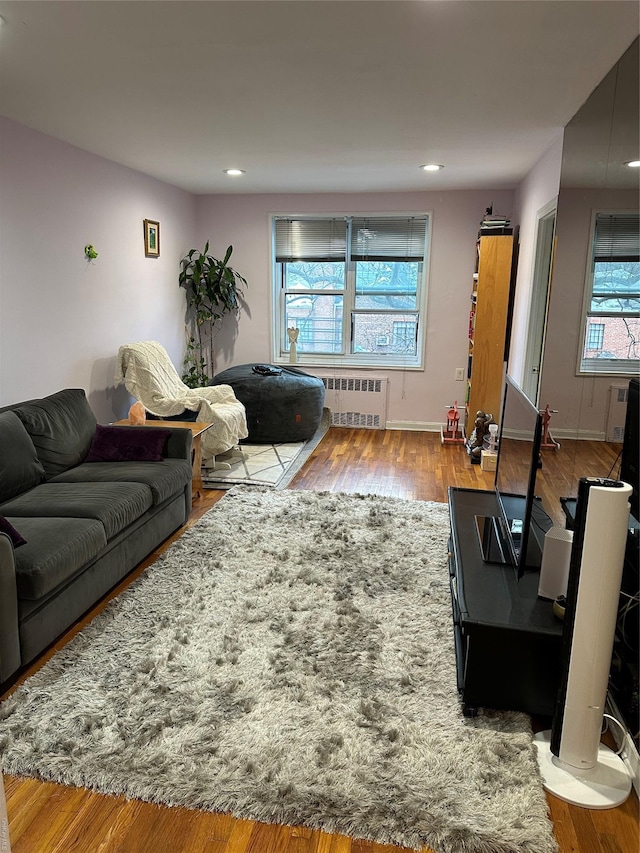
{"x":353,"y":286}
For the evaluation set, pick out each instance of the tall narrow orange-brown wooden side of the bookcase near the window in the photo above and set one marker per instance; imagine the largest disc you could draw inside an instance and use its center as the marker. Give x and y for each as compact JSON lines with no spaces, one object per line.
{"x":488,"y":324}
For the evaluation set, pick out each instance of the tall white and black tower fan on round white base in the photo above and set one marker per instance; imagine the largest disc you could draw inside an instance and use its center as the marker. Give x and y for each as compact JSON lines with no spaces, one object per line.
{"x":574,"y":765}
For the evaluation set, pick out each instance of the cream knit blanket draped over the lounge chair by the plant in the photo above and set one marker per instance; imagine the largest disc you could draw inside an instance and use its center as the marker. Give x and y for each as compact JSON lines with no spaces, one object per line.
{"x":148,"y":375}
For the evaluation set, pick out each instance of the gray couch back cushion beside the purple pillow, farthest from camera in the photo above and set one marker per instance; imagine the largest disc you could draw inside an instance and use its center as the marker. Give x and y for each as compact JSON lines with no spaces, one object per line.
{"x":61,"y":427}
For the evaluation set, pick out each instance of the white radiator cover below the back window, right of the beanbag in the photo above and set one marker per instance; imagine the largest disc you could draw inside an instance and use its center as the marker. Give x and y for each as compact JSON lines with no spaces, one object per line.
{"x":356,"y":401}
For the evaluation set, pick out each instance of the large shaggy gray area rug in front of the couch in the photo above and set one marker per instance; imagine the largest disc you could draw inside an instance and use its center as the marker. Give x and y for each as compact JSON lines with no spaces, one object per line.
{"x":289,"y":659}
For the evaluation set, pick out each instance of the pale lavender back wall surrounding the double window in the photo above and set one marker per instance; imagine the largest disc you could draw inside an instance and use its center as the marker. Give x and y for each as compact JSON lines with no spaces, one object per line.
{"x":417,"y":399}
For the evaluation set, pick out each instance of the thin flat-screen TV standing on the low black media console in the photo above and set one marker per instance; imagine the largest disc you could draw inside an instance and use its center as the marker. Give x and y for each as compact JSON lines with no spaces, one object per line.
{"x":515,"y":537}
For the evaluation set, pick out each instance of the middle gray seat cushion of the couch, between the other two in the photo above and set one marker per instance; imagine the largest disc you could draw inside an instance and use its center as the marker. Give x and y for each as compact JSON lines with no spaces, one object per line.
{"x":115,"y":505}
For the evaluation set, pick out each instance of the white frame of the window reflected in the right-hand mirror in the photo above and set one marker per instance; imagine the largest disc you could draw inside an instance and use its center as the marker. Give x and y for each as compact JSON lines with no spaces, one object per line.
{"x":599,"y":366}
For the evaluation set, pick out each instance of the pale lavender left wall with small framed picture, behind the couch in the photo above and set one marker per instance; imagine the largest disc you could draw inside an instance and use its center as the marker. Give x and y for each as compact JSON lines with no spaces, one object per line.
{"x":62,"y":319}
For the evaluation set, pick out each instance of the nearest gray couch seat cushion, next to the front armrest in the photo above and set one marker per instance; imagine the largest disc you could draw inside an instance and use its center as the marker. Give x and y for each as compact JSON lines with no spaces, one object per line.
{"x":56,"y":549}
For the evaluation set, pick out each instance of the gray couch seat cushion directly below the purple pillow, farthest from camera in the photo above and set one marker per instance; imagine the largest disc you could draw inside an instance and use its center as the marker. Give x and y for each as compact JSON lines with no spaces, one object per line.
{"x":164,"y":479}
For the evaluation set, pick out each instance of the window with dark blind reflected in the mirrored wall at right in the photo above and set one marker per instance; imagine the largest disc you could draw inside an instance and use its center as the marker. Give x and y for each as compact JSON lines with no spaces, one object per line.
{"x":611,"y":330}
